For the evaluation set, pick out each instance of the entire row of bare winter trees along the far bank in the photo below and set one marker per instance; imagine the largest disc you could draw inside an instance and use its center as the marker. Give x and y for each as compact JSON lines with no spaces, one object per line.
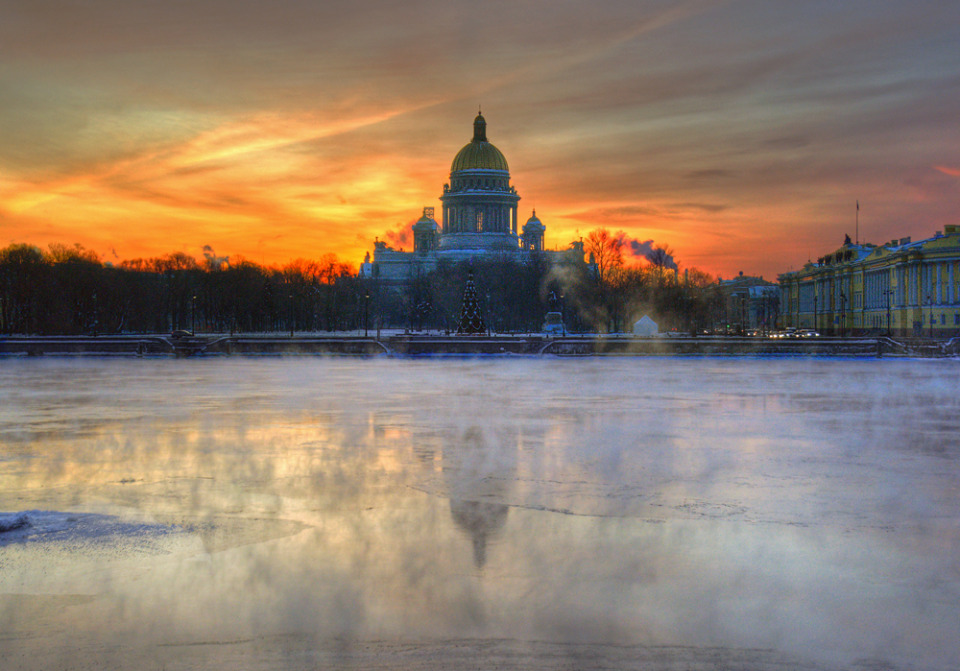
{"x":69,"y":290}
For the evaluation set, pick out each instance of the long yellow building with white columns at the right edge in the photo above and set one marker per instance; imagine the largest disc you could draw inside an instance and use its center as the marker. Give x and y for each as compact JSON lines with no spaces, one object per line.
{"x":901,"y":288}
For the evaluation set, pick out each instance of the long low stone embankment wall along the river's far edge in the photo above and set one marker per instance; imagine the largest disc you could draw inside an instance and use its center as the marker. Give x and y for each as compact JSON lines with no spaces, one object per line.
{"x":438,"y":345}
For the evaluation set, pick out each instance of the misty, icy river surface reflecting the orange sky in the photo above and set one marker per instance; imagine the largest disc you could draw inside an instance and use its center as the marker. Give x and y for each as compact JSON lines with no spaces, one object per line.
{"x":509,"y":513}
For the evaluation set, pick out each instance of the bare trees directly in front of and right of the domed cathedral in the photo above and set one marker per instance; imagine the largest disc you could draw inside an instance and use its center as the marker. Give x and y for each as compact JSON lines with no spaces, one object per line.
{"x":591,"y":297}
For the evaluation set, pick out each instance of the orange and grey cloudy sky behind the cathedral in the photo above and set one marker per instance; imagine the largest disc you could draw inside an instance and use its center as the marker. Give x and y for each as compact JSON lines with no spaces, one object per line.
{"x":741,"y":134}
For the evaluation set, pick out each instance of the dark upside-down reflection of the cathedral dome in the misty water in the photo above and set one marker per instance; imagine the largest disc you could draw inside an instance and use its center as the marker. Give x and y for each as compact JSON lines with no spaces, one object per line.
{"x":479,"y":477}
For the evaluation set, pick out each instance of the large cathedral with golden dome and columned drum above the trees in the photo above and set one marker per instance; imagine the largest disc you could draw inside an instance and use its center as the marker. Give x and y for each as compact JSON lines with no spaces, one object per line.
{"x":479,"y":219}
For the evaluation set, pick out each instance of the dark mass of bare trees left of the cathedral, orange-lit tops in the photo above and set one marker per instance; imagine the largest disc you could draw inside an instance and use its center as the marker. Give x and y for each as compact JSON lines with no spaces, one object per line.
{"x":69,"y":290}
